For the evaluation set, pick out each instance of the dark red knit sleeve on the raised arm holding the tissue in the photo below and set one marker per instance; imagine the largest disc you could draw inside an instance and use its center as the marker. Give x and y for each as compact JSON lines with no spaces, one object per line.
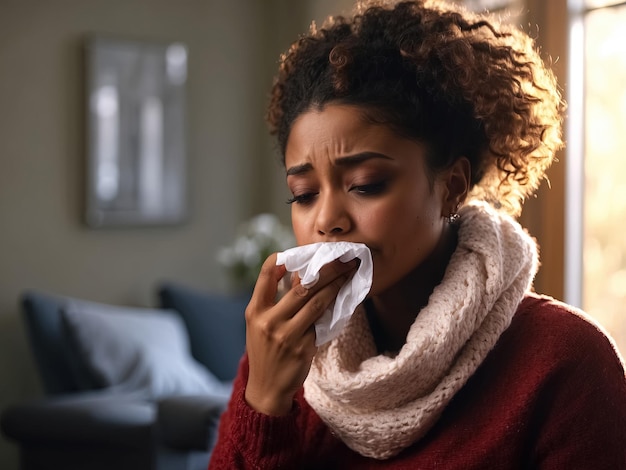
{"x":248,"y":439}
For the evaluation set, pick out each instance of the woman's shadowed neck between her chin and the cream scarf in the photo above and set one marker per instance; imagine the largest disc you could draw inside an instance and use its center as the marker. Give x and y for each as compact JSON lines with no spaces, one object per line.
{"x":392,"y":313}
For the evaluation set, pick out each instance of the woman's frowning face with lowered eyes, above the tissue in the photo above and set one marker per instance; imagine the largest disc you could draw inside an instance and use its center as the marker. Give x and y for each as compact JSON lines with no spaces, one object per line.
{"x":356,"y":181}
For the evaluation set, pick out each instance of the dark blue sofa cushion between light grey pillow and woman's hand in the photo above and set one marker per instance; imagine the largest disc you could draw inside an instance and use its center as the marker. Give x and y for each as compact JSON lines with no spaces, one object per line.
{"x":216,"y":324}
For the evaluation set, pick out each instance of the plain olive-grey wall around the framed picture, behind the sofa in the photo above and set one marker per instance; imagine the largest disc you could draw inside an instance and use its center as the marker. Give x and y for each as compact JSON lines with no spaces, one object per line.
{"x":233,"y":48}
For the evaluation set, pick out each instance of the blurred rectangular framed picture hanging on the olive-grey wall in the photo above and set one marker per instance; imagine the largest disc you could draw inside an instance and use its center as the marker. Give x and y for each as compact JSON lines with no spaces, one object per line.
{"x":136,"y":135}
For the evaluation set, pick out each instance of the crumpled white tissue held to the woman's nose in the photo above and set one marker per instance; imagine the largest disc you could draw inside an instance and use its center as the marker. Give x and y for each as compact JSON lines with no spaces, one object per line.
{"x":307,"y":260}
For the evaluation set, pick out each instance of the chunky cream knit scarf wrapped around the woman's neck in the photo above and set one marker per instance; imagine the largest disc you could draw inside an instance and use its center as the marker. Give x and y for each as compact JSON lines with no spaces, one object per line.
{"x":379,"y":405}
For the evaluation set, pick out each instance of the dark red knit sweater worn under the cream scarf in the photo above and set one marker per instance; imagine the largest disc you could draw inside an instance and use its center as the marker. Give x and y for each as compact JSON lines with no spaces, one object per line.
{"x":551,"y":395}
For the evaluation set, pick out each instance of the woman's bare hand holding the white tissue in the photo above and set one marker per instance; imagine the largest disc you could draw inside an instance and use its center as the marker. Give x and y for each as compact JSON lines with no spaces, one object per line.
{"x":280,"y":336}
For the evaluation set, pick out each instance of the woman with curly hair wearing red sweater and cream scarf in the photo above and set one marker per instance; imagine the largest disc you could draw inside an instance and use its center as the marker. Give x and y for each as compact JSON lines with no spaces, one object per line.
{"x":418,"y":130}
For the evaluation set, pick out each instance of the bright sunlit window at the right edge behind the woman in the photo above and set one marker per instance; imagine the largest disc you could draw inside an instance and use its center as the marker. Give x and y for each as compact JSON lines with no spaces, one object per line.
{"x":596,"y":277}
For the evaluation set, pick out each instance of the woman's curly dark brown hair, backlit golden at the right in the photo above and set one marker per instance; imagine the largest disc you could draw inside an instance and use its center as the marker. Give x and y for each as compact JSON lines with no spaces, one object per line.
{"x":461,"y":83}
